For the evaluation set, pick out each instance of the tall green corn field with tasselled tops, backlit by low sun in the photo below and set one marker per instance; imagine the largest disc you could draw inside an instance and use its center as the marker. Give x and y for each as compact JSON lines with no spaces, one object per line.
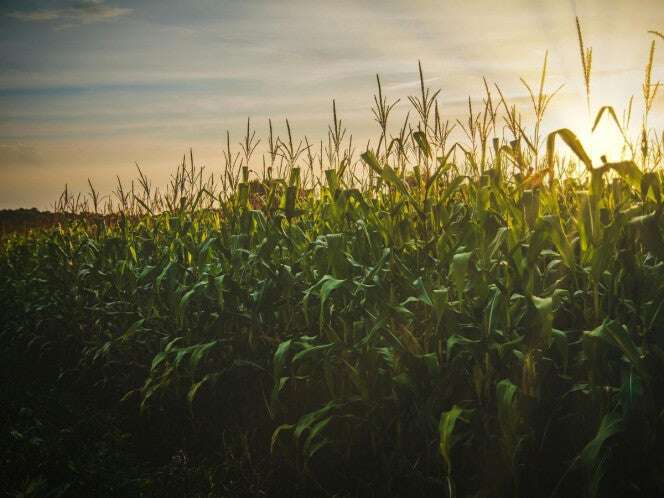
{"x":475,"y":318}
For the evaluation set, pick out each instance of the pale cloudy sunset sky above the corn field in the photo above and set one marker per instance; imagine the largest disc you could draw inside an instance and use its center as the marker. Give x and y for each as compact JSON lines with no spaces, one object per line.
{"x":90,"y":88}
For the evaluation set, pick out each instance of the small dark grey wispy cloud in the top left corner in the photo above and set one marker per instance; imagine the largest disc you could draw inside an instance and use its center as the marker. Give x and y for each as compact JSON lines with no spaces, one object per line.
{"x":75,"y":14}
